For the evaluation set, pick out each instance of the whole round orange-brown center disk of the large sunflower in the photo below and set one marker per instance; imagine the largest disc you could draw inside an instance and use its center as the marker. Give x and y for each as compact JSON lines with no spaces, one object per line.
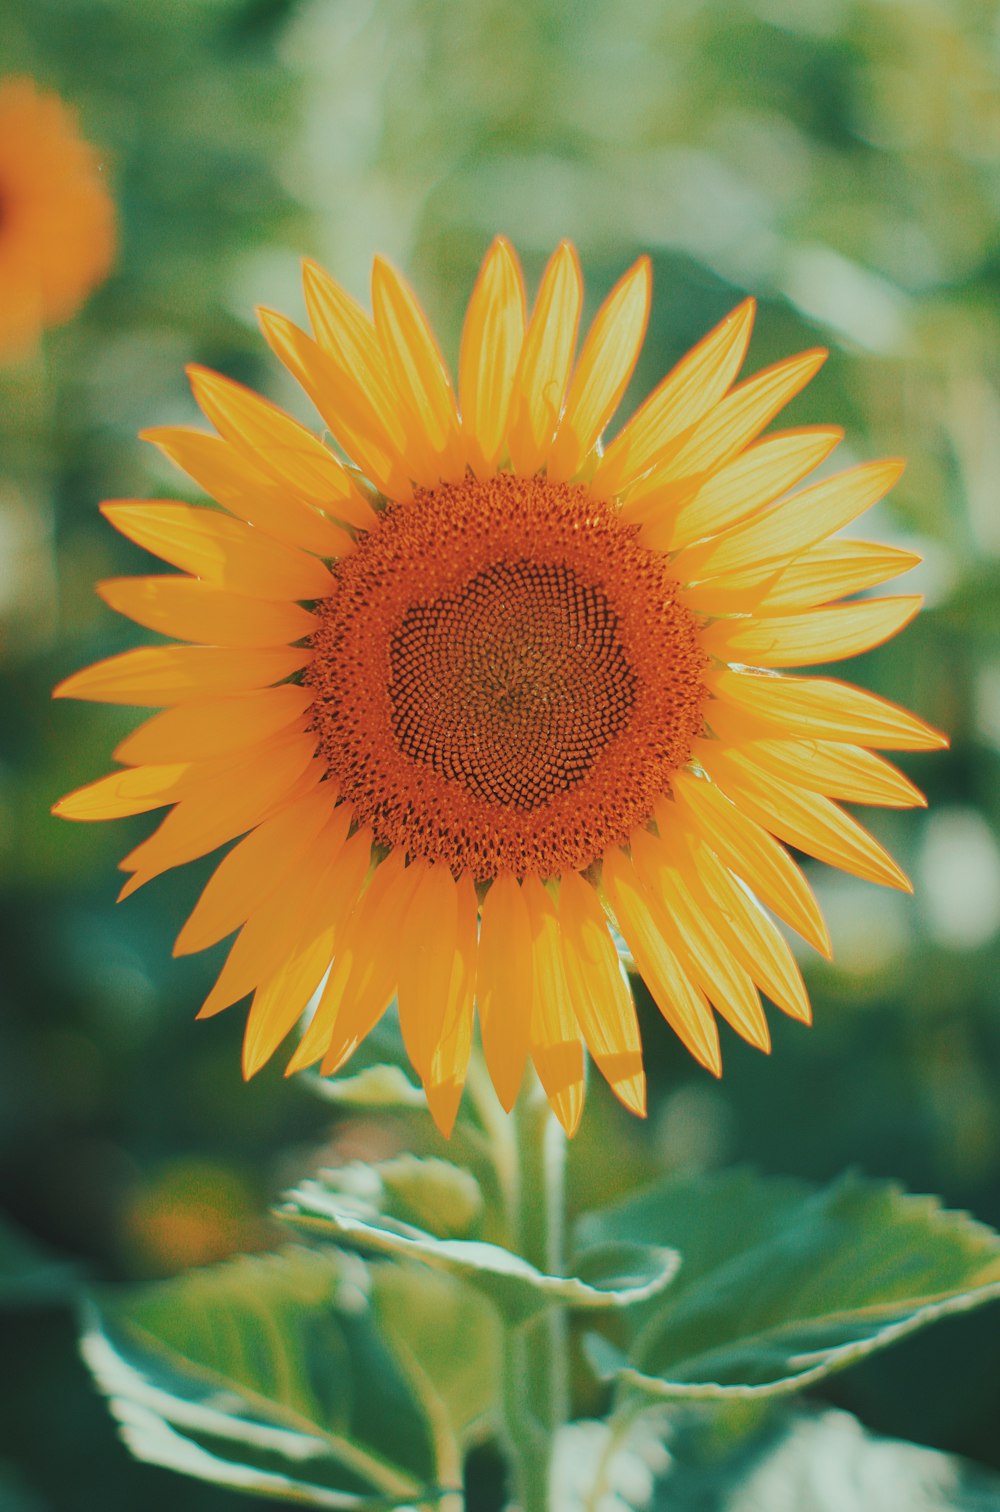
{"x":505,"y":680}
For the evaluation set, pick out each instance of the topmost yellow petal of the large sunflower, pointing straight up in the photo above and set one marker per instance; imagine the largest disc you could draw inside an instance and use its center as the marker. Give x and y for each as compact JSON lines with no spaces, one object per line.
{"x":491,"y":350}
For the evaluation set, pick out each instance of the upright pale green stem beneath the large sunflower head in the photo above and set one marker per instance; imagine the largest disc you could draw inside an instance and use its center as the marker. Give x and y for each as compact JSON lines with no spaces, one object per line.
{"x":536,"y":1365}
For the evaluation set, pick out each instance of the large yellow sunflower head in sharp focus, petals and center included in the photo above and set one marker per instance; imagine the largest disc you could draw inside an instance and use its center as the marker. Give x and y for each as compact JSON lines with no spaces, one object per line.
{"x":488,"y":699}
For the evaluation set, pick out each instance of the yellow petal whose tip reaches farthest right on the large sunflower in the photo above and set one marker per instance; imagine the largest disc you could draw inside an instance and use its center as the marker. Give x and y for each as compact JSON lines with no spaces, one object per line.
{"x":824,"y":708}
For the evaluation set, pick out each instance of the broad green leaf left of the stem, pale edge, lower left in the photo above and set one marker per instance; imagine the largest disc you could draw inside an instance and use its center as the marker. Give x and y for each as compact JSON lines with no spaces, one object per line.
{"x":302,"y":1375}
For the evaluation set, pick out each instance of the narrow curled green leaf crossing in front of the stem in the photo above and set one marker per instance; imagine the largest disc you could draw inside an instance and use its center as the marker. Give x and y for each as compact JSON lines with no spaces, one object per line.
{"x":368,"y":1216}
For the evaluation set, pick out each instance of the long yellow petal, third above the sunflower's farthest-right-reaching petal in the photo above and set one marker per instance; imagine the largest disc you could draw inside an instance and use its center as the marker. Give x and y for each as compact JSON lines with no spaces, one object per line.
{"x":795,"y":525}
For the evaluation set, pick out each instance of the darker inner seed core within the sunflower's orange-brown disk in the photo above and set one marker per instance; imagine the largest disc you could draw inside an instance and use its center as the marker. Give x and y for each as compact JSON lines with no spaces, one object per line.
{"x":514,"y":686}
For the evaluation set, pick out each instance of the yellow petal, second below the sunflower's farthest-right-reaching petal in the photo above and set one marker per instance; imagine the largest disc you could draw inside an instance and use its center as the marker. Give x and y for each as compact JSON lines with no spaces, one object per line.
{"x":807,"y":820}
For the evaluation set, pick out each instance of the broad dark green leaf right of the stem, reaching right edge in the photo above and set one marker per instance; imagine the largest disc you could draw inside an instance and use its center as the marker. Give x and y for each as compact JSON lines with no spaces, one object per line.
{"x":781,"y":1283}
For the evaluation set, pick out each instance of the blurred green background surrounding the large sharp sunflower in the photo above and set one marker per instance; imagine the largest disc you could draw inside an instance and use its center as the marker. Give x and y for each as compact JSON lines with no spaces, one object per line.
{"x":840,"y":160}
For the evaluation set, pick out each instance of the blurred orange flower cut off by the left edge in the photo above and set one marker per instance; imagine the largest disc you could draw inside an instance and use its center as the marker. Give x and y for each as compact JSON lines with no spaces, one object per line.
{"x":57,"y":218}
